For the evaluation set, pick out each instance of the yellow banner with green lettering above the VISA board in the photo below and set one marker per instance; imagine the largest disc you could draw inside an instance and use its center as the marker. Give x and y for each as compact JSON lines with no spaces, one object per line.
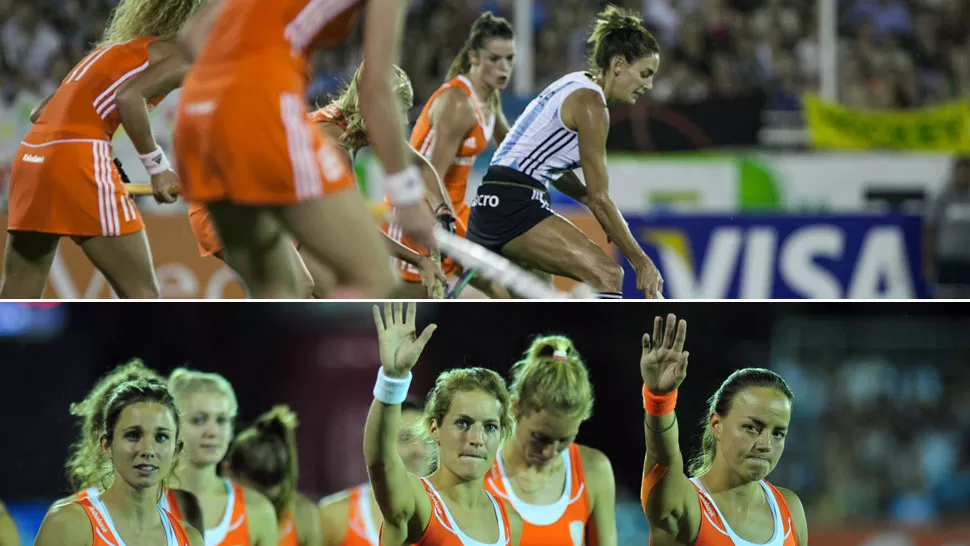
{"x":943,"y":128}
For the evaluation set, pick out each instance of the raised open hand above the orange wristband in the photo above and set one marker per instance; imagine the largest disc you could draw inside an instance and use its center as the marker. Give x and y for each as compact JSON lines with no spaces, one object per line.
{"x":663,"y":363}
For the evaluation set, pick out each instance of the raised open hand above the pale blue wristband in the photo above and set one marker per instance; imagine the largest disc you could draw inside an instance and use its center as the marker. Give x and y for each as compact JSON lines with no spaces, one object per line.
{"x":399,"y":346}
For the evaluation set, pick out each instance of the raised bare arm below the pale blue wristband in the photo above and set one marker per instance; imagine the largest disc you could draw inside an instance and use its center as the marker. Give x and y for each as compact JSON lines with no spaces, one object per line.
{"x":398,"y":493}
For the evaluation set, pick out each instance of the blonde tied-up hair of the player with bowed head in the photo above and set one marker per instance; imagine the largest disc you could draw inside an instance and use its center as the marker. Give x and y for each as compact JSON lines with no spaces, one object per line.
{"x":552,"y":376}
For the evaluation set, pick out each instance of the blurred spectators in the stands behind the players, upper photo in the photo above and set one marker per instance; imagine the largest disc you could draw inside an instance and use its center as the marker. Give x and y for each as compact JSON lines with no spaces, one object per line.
{"x":892,"y":53}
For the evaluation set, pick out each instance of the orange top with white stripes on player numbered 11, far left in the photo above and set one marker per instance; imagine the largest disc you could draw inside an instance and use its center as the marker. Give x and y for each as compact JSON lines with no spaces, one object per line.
{"x":83,"y":106}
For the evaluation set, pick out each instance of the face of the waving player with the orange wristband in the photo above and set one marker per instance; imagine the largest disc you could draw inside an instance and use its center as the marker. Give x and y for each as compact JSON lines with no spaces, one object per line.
{"x":752,"y":435}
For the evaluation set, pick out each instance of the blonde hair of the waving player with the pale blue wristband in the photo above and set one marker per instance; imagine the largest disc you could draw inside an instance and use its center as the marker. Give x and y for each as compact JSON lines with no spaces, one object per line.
{"x":459,"y":380}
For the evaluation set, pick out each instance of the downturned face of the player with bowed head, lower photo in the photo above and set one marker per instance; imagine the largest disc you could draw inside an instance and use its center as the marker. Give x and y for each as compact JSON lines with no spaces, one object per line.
{"x":541,"y":436}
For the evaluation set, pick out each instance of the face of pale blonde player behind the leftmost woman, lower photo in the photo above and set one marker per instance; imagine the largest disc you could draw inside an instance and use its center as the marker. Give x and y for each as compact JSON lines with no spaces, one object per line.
{"x":208,"y":426}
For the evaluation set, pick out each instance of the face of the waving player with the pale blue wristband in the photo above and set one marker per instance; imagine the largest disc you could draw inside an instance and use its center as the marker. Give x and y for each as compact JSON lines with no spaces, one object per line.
{"x":469,"y":434}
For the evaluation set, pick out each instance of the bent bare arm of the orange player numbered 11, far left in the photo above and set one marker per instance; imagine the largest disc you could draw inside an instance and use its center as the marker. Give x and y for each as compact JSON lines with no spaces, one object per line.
{"x":168,"y":67}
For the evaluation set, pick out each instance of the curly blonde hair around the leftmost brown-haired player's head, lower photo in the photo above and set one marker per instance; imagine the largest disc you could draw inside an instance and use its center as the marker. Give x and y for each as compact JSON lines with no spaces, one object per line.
{"x":85,"y":465}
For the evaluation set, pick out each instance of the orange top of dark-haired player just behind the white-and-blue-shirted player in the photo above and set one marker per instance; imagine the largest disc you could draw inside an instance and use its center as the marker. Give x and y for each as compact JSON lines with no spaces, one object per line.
{"x":473,"y":142}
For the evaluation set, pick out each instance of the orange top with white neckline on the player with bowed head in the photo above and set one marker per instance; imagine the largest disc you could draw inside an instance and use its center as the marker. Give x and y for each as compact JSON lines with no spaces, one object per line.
{"x":563,"y":522}
